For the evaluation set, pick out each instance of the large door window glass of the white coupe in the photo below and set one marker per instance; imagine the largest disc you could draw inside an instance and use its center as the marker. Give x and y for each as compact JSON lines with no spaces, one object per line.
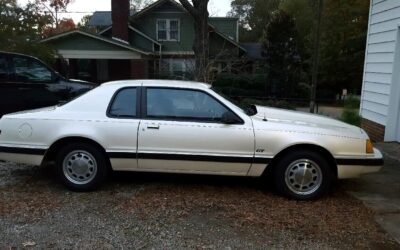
{"x":183,"y":105}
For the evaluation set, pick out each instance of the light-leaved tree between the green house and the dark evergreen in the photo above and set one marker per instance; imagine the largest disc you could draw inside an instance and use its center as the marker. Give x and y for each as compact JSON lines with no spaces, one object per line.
{"x":253,"y":16}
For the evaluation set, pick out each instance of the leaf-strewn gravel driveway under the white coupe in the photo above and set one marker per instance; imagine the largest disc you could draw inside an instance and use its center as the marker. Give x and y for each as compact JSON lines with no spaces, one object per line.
{"x":145,"y":211}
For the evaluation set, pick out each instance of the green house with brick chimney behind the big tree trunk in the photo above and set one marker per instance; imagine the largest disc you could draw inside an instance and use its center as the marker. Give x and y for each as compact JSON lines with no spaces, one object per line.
{"x":155,"y":42}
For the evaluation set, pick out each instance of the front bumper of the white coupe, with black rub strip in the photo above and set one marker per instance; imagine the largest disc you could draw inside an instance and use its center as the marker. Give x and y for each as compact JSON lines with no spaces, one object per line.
{"x":353,"y":168}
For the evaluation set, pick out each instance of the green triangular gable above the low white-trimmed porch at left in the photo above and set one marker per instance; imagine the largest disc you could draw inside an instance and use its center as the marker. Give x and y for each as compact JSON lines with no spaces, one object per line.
{"x":81,"y":42}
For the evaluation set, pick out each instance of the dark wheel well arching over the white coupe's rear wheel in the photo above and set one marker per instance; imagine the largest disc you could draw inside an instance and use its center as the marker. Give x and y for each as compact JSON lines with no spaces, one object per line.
{"x":56,"y":146}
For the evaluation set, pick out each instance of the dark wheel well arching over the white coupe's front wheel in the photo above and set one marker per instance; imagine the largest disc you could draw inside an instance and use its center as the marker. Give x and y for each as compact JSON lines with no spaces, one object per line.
{"x":315,"y":148}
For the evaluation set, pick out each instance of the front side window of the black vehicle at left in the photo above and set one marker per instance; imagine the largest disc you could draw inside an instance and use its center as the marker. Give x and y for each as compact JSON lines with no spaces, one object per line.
{"x":30,"y":70}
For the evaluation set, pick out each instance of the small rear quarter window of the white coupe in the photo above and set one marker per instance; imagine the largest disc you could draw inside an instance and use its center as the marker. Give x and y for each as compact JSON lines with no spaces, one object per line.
{"x":124,"y":104}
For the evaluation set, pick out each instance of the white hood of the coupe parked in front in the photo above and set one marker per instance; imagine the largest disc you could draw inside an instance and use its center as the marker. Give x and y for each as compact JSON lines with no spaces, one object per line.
{"x":306,"y":122}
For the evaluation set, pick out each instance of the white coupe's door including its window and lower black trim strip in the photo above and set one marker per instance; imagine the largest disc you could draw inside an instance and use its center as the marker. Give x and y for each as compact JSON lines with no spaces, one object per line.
{"x":182,"y":131}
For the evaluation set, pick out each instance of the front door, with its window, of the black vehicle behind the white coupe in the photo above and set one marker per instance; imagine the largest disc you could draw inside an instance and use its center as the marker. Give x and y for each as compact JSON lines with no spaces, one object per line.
{"x":37,"y":84}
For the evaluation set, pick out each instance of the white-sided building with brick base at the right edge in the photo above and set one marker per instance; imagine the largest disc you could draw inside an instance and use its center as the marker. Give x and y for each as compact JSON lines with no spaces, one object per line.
{"x":380,"y":97}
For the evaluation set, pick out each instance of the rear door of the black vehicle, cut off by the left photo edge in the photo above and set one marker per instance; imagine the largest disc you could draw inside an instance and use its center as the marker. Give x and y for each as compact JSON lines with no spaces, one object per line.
{"x":10,"y":98}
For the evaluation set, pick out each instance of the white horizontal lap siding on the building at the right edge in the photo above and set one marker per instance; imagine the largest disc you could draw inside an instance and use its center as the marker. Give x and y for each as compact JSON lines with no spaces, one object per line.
{"x":382,"y":39}
